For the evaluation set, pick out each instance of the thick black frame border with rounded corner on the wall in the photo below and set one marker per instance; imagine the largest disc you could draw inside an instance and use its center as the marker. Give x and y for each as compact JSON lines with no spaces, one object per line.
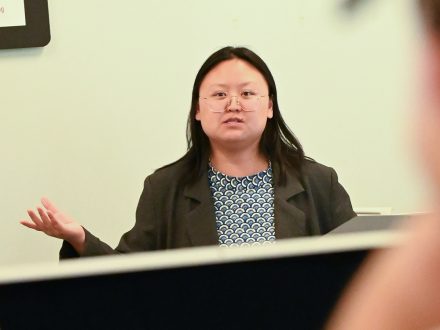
{"x":36,"y":32}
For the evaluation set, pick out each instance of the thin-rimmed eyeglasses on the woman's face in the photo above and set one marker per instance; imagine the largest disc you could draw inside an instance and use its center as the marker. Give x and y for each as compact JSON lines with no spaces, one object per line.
{"x":248,"y":100}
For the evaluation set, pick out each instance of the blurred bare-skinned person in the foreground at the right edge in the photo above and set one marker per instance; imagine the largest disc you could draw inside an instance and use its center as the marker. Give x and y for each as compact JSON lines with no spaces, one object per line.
{"x":399,"y":287}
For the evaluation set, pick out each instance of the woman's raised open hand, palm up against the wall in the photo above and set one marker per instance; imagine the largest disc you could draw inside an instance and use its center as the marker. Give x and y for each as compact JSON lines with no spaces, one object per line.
{"x":56,"y":224}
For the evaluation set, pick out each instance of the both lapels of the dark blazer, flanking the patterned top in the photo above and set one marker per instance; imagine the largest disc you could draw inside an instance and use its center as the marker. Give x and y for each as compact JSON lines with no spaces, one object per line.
{"x":290,"y":221}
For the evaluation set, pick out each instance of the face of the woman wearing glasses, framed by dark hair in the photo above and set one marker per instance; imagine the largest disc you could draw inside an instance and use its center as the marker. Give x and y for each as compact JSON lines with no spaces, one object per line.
{"x":234,"y":105}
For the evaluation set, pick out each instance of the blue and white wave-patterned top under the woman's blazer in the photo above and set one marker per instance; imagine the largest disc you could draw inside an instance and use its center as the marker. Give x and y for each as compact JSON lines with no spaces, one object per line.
{"x":244,"y":207}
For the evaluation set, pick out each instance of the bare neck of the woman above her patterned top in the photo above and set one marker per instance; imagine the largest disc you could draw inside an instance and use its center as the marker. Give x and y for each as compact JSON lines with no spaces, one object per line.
{"x":238,"y":164}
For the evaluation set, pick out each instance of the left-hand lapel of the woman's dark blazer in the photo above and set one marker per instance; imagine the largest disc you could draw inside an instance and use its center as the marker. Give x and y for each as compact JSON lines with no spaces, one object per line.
{"x":200,"y":218}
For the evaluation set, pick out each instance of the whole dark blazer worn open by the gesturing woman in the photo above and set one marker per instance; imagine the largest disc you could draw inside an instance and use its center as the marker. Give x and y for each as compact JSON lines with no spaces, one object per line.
{"x":170,"y":215}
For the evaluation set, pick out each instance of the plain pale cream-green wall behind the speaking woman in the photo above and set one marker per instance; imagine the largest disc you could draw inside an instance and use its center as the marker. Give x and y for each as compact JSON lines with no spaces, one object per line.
{"x":86,"y":118}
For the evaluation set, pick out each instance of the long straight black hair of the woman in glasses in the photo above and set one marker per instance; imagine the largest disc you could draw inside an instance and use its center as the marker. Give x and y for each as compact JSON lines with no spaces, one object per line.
{"x":278,"y":143}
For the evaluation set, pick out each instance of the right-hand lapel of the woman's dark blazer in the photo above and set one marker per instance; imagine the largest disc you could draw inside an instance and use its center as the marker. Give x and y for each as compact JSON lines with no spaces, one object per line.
{"x":290,"y":221}
